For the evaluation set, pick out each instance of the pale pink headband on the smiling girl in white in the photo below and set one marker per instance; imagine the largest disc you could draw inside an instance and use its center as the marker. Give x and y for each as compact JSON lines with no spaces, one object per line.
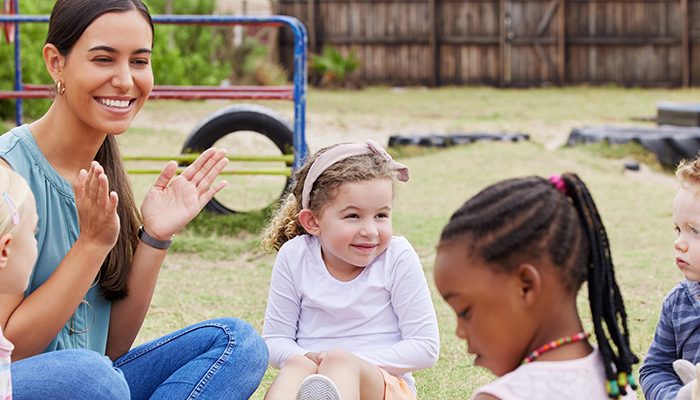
{"x":341,"y":152}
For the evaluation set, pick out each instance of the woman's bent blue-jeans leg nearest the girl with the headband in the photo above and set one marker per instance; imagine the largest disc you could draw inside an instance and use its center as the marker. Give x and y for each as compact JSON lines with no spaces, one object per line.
{"x":217,"y":359}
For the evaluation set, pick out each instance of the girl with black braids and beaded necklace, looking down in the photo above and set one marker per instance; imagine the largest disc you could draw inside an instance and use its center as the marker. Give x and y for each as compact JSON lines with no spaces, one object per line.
{"x":510,"y":262}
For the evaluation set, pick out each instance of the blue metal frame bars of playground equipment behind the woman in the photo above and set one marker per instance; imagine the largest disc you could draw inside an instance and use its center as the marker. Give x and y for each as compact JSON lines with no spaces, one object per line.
{"x":300,"y":59}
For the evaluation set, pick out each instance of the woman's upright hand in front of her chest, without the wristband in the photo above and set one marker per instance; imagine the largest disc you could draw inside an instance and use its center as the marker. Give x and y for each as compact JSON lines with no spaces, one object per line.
{"x":97,"y":207}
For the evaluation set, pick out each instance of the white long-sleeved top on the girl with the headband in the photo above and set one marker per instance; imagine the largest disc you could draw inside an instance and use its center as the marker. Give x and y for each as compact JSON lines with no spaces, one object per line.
{"x":384,"y":315}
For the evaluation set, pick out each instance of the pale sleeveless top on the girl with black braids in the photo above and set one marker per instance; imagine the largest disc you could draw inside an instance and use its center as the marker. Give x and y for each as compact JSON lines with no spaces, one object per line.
{"x":580,"y":379}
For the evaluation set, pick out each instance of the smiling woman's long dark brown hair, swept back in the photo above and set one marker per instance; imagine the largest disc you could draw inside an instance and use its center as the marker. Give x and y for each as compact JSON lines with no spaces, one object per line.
{"x":68,"y":21}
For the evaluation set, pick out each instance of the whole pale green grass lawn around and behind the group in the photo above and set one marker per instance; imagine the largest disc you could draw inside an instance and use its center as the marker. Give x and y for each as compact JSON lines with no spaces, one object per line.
{"x":215,"y":268}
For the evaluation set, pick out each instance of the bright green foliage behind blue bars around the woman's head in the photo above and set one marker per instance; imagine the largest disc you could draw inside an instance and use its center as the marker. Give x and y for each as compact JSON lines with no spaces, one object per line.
{"x":182,"y":55}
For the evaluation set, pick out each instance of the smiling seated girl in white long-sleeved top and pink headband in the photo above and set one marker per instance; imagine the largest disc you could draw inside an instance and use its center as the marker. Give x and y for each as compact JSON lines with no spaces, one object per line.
{"x":349,"y":313}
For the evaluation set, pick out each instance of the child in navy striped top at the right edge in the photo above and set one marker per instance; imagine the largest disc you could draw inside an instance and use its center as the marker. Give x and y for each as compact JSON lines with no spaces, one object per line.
{"x":677,"y":335}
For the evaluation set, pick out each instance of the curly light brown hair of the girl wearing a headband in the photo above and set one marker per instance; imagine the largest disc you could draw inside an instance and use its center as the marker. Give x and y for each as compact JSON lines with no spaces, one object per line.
{"x":285,"y":225}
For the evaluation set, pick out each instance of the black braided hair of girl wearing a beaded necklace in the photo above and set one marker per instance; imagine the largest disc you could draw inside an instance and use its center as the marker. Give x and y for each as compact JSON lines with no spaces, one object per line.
{"x":521,"y":219}
